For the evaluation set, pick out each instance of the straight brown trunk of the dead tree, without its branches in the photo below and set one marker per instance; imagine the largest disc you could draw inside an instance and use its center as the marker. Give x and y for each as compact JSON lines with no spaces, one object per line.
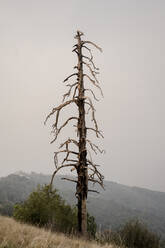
{"x":82,"y":184}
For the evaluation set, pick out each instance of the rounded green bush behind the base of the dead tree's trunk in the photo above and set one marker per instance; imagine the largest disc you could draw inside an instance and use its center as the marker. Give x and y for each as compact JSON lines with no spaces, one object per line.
{"x":48,"y":209}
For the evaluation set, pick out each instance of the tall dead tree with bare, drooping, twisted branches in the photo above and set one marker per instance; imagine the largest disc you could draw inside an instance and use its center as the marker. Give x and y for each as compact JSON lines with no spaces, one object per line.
{"x":87,"y":170}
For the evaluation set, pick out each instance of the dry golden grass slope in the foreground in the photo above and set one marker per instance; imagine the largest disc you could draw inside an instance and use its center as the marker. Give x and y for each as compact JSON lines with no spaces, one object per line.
{"x":16,"y":235}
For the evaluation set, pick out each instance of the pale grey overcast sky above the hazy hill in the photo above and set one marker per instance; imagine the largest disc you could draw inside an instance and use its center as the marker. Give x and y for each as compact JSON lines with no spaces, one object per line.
{"x":36,"y":39}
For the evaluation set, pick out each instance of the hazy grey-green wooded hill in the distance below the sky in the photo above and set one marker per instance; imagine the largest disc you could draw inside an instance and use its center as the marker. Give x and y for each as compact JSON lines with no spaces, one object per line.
{"x":111,"y":208}
